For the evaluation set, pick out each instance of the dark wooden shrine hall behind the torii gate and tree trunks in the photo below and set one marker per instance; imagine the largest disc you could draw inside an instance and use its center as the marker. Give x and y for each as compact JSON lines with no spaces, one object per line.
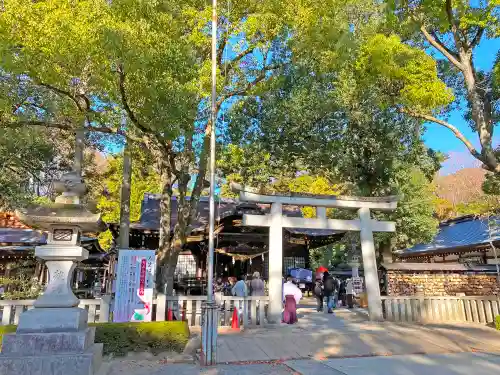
{"x":239,"y":249}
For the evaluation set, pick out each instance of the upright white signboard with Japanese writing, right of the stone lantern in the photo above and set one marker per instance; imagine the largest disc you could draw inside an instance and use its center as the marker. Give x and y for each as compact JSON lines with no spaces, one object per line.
{"x":134,"y":286}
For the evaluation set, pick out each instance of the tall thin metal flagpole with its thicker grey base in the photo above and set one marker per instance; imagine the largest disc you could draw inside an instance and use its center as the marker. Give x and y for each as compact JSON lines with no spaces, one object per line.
{"x":210,"y":313}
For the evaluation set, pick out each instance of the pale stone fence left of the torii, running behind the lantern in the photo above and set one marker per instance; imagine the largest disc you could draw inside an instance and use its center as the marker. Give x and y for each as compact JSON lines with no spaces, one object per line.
{"x":181,"y":307}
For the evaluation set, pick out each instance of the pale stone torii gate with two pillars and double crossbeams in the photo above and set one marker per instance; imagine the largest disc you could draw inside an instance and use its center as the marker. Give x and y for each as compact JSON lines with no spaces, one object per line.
{"x":276,"y":222}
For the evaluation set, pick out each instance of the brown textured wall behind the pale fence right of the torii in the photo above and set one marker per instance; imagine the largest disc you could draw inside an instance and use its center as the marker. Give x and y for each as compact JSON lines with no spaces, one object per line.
{"x":441,"y":284}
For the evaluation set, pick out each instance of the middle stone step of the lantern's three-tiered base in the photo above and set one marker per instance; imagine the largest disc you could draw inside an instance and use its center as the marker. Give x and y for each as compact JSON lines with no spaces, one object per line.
{"x":30,"y":344}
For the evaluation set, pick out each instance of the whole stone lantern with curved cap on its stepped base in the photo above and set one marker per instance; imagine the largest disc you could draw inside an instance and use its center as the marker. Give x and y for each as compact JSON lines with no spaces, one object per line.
{"x":53,"y":337}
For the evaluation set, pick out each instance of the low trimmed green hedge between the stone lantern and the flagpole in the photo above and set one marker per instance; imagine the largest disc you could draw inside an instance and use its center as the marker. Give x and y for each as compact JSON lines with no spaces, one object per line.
{"x":121,"y":338}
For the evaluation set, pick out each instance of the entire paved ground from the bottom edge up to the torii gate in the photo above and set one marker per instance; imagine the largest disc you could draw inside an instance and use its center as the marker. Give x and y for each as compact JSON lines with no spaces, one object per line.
{"x":345,"y":343}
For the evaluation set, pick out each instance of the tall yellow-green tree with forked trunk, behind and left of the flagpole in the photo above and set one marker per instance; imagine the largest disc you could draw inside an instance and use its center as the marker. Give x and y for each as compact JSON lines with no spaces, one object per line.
{"x":151,"y":61}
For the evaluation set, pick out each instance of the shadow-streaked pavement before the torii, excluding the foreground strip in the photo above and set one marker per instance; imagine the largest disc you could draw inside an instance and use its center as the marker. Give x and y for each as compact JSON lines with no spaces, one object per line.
{"x":348,"y":333}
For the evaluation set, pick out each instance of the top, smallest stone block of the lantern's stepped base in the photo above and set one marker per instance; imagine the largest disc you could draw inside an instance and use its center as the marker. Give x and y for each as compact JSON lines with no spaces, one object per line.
{"x":40,"y":320}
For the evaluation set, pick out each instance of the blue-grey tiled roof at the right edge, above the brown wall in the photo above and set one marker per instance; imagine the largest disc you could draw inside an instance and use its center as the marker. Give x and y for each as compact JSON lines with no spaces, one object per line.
{"x":466,"y":232}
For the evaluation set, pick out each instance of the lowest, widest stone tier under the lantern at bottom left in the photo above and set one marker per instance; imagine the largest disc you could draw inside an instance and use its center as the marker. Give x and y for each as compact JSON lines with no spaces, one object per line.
{"x":86,"y":363}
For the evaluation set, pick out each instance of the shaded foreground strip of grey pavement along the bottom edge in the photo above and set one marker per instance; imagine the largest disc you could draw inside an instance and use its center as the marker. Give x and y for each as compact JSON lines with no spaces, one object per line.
{"x":442,"y":364}
